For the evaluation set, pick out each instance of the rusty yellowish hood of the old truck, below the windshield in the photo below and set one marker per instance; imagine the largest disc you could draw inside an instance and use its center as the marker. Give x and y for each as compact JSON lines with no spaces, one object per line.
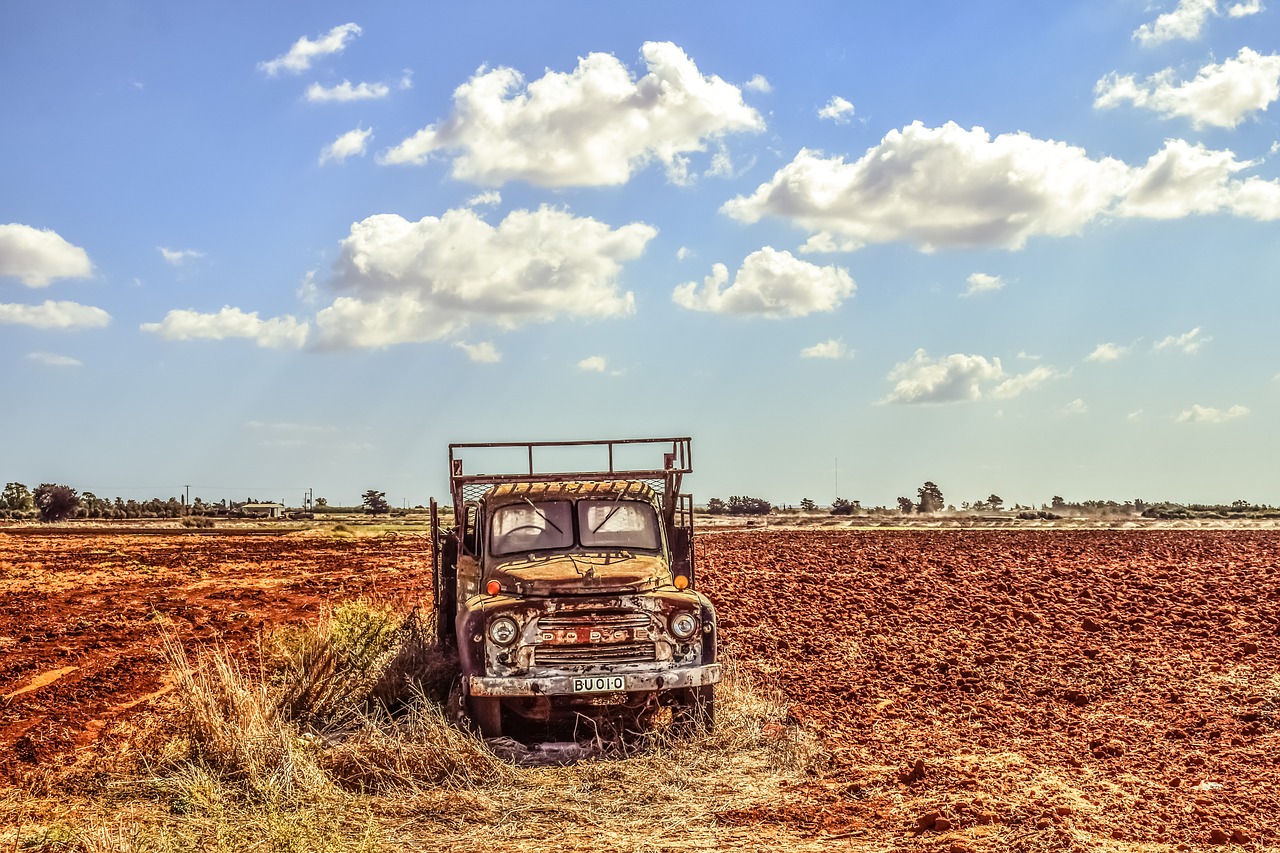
{"x":583,"y":573}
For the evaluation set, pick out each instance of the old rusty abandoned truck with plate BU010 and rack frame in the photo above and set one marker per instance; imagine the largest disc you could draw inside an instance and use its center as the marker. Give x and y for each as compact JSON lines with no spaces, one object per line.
{"x":570,"y":597}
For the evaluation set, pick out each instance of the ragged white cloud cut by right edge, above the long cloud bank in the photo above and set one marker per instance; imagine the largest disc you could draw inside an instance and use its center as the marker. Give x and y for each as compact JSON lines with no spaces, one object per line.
{"x":1219,"y":97}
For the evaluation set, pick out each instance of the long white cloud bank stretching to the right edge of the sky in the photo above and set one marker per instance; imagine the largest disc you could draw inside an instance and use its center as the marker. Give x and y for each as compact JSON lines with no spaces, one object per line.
{"x":950,"y":188}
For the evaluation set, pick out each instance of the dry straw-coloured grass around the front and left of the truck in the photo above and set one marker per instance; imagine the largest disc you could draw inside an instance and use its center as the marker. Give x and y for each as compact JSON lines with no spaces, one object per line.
{"x":333,"y":742}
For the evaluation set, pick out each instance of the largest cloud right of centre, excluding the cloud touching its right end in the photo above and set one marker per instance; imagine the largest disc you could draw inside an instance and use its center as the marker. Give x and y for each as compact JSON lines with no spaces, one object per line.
{"x":941,"y":188}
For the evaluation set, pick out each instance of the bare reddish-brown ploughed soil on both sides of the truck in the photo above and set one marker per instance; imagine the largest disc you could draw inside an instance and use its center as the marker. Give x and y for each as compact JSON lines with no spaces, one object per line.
{"x":1035,"y":687}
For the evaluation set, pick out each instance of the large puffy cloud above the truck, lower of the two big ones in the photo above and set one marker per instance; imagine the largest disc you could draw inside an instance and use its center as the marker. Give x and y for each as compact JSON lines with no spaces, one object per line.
{"x":422,"y":281}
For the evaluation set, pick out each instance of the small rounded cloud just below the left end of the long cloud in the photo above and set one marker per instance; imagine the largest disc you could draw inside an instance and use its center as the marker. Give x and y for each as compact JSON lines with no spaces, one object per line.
{"x":770,"y":284}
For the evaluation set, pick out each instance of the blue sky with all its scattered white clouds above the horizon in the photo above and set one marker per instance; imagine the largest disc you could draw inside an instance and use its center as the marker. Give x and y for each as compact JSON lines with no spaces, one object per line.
{"x":1025,"y":249}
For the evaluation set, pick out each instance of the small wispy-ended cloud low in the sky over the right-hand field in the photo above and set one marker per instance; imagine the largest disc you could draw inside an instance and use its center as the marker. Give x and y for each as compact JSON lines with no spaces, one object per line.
{"x":959,"y":378}
